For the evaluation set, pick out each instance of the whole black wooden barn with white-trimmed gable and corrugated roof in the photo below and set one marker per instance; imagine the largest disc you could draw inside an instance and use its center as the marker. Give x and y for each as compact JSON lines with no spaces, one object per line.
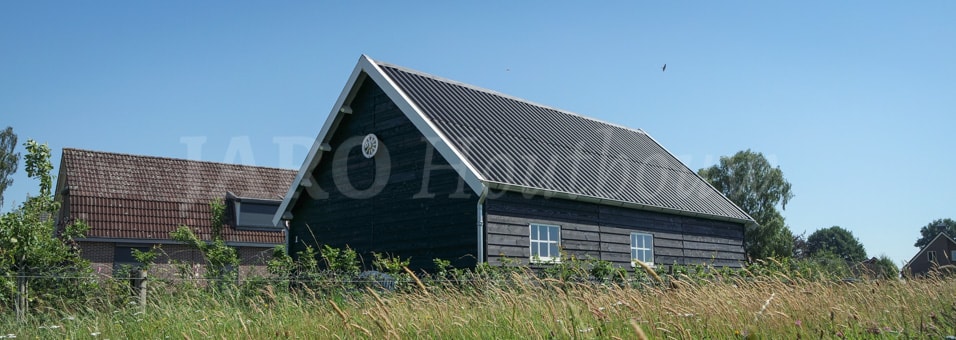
{"x":423,"y":167}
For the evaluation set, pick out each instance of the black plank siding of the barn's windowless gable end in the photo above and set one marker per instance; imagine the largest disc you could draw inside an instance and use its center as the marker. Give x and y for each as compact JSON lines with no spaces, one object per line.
{"x":392,"y":221}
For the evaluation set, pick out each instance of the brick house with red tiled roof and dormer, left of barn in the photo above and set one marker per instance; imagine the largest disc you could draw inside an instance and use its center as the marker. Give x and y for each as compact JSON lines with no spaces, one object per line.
{"x":134,"y":202}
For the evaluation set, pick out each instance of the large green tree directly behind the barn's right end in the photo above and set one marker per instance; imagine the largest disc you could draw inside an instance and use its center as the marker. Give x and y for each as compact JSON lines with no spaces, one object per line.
{"x":747,"y":179}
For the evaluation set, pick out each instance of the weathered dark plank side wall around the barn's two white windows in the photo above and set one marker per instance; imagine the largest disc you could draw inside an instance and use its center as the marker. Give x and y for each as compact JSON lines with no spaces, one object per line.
{"x":603,"y":232}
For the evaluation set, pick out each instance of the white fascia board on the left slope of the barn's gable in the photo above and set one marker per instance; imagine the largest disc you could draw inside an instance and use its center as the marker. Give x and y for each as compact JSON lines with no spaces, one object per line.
{"x":315,"y":153}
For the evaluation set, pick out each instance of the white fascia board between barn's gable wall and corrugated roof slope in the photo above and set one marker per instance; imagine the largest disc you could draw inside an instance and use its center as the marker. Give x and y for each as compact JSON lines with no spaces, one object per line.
{"x":441,"y":143}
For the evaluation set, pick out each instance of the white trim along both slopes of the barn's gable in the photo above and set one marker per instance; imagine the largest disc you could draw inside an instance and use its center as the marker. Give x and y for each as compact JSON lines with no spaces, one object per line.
{"x":367,"y":68}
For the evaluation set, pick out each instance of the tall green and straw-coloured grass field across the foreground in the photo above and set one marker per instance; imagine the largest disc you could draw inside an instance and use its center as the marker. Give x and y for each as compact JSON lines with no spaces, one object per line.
{"x":773,"y":306}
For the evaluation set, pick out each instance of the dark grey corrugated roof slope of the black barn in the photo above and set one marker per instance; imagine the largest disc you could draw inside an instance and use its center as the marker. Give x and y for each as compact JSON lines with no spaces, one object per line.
{"x":516,"y":143}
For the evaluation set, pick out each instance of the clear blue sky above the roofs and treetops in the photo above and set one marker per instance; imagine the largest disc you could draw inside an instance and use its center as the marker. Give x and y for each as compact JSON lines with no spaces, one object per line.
{"x":854,"y":100}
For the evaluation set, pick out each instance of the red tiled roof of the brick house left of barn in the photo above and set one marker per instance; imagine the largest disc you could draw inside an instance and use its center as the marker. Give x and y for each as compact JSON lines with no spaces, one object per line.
{"x":125,"y":196}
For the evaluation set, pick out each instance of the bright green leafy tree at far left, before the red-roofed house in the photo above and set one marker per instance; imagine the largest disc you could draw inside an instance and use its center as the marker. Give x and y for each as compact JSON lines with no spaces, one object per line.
{"x":27,"y":243}
